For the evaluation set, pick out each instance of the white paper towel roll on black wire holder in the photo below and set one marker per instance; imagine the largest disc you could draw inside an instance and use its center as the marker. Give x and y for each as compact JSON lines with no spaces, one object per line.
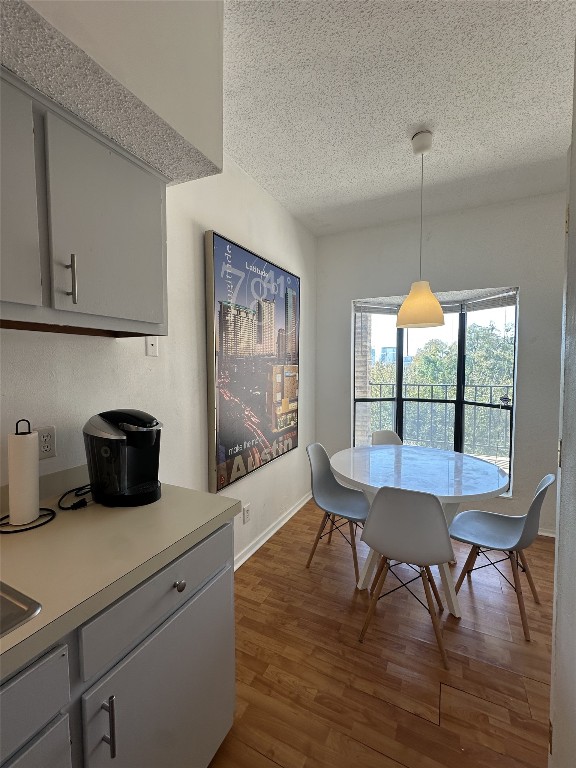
{"x":23,"y":477}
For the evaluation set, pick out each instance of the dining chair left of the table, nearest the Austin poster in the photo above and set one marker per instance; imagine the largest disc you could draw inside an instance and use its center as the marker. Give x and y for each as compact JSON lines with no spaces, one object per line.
{"x":340,"y":504}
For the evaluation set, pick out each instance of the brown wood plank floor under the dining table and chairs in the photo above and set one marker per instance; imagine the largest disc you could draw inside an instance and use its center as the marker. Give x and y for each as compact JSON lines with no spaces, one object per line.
{"x":310,"y":695}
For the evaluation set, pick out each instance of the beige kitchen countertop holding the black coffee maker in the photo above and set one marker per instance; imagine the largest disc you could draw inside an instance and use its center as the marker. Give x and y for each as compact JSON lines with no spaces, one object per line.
{"x":86,"y":559}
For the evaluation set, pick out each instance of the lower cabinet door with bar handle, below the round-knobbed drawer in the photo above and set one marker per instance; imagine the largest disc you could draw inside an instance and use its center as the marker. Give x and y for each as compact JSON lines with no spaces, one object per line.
{"x":173,"y":695}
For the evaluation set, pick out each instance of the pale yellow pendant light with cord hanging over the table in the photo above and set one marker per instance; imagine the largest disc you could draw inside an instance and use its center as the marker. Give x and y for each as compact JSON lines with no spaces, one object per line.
{"x":420,"y":309}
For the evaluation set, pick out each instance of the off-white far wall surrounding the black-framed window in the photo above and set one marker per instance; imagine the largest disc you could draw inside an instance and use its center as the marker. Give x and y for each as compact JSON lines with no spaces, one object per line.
{"x":518,"y":244}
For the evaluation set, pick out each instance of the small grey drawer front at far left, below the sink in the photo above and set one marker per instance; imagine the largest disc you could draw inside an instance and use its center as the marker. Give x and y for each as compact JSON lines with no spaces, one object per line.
{"x":31,"y":699}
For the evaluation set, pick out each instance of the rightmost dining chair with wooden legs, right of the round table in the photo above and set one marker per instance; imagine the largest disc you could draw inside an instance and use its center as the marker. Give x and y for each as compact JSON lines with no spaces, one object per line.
{"x":490,"y":531}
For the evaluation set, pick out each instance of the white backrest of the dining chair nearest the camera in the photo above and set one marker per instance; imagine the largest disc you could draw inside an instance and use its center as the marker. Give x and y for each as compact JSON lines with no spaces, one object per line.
{"x":408,"y":526}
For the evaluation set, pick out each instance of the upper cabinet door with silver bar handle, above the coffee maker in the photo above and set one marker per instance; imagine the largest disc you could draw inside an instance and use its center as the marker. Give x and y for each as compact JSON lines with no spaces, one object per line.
{"x":108,"y":212}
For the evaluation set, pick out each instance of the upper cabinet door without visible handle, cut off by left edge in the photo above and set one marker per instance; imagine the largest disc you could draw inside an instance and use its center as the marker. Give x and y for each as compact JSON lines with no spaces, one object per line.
{"x":20,"y":271}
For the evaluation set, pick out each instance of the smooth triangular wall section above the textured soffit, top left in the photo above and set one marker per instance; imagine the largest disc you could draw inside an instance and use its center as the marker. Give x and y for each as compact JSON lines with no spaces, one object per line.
{"x":169,"y":54}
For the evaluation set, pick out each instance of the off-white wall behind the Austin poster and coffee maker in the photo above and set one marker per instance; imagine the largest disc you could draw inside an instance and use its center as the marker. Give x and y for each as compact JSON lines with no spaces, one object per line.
{"x":63,"y":380}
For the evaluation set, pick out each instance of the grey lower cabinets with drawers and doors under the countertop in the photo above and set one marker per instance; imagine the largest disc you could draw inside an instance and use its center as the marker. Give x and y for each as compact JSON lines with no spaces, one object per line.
{"x":147,"y":683}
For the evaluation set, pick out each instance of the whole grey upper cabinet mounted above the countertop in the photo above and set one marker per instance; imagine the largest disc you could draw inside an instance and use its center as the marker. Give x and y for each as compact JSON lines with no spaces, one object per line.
{"x":83,"y":226}
